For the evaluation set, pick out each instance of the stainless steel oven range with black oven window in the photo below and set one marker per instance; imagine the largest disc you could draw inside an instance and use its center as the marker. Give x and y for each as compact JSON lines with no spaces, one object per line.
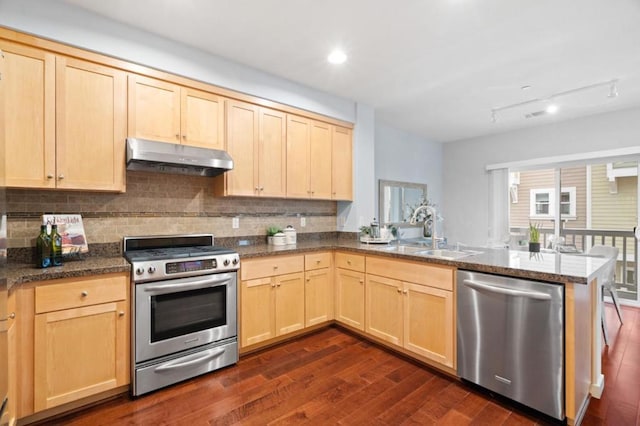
{"x":184,"y":302}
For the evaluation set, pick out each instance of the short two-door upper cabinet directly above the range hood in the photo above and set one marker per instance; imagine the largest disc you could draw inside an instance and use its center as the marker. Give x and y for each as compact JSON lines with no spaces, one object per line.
{"x":167,"y":112}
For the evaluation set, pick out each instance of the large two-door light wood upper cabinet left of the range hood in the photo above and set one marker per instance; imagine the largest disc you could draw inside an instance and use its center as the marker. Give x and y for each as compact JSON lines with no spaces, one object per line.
{"x":65,"y":121}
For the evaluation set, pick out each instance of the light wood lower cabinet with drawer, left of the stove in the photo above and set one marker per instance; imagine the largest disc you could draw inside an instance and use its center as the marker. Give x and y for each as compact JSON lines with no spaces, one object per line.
{"x":81,"y":339}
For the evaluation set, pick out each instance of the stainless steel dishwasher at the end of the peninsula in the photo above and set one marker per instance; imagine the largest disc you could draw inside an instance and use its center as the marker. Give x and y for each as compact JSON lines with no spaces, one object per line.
{"x":511,"y":338}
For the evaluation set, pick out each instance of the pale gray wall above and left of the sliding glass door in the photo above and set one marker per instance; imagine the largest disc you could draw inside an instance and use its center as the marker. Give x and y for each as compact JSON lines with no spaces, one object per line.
{"x":466,"y":184}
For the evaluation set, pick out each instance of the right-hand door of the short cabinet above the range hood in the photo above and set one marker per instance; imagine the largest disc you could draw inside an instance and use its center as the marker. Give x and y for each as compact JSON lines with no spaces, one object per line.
{"x":202,"y":119}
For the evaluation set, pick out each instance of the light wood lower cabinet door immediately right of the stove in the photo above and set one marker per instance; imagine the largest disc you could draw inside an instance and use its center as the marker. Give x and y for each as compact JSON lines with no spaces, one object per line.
{"x":257,"y":316}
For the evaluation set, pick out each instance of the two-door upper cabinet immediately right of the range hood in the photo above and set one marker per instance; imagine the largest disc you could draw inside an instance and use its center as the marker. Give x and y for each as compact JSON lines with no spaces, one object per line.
{"x":256,"y":141}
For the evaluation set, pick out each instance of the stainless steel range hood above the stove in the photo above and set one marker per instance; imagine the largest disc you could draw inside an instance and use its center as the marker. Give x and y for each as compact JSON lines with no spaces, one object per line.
{"x":164,"y":157}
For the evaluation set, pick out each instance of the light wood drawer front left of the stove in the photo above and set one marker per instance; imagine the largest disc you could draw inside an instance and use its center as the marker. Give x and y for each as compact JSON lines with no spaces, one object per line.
{"x":78,"y":292}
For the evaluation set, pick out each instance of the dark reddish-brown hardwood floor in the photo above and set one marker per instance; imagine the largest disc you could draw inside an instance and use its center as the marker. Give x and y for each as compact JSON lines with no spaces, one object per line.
{"x":334,"y":377}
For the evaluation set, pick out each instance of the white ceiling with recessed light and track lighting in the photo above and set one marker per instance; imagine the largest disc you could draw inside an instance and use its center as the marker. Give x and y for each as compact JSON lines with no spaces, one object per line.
{"x":435,"y":68}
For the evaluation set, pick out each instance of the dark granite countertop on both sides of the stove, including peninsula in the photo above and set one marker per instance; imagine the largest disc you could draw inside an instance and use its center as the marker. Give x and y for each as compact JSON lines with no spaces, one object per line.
{"x":551,"y":267}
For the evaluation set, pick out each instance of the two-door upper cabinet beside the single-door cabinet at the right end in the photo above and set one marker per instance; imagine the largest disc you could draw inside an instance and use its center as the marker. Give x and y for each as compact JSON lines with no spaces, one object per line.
{"x":308,"y":158}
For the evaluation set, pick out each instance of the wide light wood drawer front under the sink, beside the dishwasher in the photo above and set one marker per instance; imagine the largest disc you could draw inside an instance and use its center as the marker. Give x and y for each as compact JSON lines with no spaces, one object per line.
{"x":414,"y":272}
